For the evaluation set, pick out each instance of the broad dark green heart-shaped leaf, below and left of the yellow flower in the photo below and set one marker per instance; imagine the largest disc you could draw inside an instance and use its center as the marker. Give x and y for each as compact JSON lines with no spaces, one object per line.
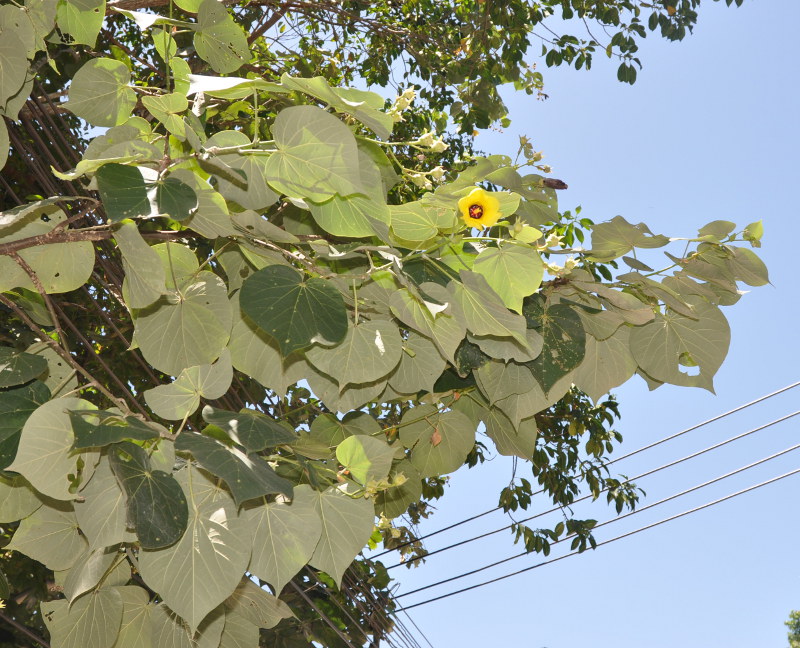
{"x":296,"y":312}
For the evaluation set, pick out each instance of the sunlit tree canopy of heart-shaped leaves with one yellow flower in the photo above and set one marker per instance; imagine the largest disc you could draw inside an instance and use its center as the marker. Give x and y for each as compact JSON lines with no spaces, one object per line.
{"x":253,"y":316}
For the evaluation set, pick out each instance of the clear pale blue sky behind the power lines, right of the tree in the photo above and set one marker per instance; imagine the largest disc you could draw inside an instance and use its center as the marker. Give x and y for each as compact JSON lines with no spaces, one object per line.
{"x":709,"y":131}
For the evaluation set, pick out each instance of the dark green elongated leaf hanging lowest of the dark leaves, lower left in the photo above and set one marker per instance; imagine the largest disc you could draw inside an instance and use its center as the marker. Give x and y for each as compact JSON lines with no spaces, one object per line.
{"x":157,"y":507}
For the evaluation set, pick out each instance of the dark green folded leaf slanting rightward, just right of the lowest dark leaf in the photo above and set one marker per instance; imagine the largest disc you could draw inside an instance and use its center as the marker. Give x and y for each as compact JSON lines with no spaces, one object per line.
{"x":248,"y":476}
